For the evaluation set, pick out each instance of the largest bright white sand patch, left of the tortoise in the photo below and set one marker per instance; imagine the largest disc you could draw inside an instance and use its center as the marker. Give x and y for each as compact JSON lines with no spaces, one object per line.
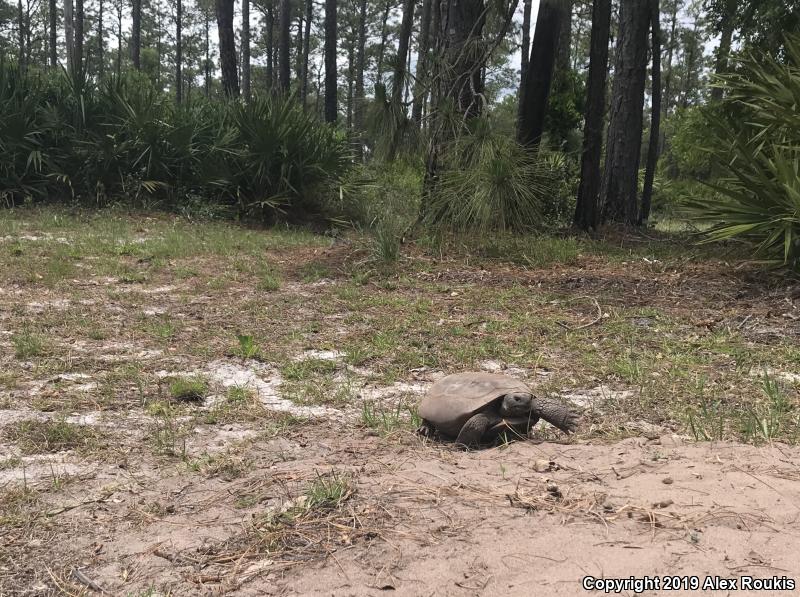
{"x":265,"y":381}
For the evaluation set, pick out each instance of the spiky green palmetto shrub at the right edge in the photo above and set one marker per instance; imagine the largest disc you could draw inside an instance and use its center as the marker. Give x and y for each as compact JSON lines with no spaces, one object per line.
{"x":756,"y":143}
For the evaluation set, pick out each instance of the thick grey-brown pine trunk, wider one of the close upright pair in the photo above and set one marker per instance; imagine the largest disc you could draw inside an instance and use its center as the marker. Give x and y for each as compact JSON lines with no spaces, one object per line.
{"x":618,"y":192}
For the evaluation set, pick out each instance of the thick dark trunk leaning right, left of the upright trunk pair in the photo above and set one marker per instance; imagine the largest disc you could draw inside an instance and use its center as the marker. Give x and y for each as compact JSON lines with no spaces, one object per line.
{"x":549,"y":22}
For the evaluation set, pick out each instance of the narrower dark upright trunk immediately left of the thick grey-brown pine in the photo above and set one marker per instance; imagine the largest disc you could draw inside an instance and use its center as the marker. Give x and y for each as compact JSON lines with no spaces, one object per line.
{"x":586,"y":212}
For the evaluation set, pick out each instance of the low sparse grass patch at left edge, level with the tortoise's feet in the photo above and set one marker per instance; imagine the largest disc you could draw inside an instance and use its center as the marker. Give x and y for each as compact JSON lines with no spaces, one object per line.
{"x":34,"y":436}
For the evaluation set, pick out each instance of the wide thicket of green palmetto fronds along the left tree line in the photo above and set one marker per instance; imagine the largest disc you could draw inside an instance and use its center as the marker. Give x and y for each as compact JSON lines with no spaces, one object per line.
{"x":127,"y":141}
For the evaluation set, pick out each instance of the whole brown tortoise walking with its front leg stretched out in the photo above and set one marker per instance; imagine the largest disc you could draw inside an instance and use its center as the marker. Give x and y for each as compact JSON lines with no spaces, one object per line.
{"x":476,"y":407}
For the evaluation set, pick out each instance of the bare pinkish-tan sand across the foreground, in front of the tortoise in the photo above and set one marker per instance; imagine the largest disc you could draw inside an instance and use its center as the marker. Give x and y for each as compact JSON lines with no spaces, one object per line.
{"x":527,"y":518}
